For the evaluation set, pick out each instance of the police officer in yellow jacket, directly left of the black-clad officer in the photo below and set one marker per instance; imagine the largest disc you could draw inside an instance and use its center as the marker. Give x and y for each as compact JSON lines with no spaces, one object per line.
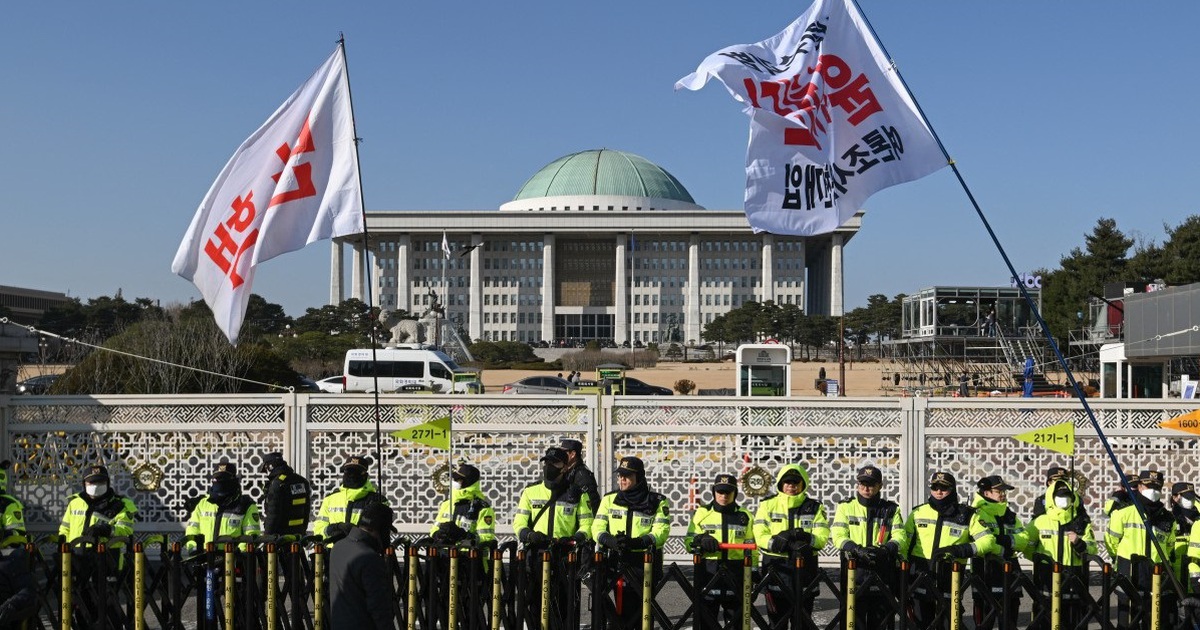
{"x":225,"y":511}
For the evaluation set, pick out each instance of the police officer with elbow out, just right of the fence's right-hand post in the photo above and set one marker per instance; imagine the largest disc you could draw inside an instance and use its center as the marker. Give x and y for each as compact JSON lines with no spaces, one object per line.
{"x":940,"y":530}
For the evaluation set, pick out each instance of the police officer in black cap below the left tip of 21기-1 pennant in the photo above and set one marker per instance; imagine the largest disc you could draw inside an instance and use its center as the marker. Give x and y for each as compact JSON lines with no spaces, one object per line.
{"x":992,"y":505}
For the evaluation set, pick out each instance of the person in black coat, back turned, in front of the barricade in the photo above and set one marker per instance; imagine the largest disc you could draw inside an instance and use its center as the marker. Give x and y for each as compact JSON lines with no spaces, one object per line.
{"x":359,"y":580}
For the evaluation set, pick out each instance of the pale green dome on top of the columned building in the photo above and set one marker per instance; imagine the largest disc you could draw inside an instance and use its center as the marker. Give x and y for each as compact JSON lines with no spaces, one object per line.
{"x":604,"y":172}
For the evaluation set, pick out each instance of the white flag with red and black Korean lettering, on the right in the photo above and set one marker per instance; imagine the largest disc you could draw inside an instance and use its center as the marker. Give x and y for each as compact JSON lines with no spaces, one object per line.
{"x":831,"y":123}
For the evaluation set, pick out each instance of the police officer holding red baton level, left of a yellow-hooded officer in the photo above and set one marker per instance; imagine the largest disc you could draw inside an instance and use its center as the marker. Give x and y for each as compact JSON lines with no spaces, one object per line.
{"x":719,"y":577}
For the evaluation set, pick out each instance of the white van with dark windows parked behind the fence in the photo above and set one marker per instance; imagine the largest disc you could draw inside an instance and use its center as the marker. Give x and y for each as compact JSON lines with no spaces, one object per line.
{"x":407,"y":365}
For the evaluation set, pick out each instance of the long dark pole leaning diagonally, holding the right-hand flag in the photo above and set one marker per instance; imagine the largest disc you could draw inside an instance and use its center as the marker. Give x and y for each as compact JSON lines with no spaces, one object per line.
{"x":1025,"y":295}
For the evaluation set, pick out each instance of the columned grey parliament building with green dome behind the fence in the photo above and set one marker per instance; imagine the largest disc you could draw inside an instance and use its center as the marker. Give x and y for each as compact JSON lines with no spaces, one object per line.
{"x":597,"y":245}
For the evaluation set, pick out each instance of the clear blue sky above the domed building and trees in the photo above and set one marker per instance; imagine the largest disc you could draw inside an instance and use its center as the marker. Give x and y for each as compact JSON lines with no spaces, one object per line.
{"x":117,"y":118}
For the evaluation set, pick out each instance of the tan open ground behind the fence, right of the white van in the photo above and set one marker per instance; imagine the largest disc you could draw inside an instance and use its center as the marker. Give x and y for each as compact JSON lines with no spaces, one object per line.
{"x":862,"y":380}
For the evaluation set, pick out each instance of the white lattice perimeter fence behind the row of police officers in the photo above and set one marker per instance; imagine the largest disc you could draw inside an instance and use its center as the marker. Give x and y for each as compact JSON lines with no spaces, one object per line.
{"x":160,"y":449}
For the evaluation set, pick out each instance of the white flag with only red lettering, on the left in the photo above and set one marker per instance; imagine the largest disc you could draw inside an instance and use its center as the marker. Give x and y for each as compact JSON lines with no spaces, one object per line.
{"x":292,"y":183}
